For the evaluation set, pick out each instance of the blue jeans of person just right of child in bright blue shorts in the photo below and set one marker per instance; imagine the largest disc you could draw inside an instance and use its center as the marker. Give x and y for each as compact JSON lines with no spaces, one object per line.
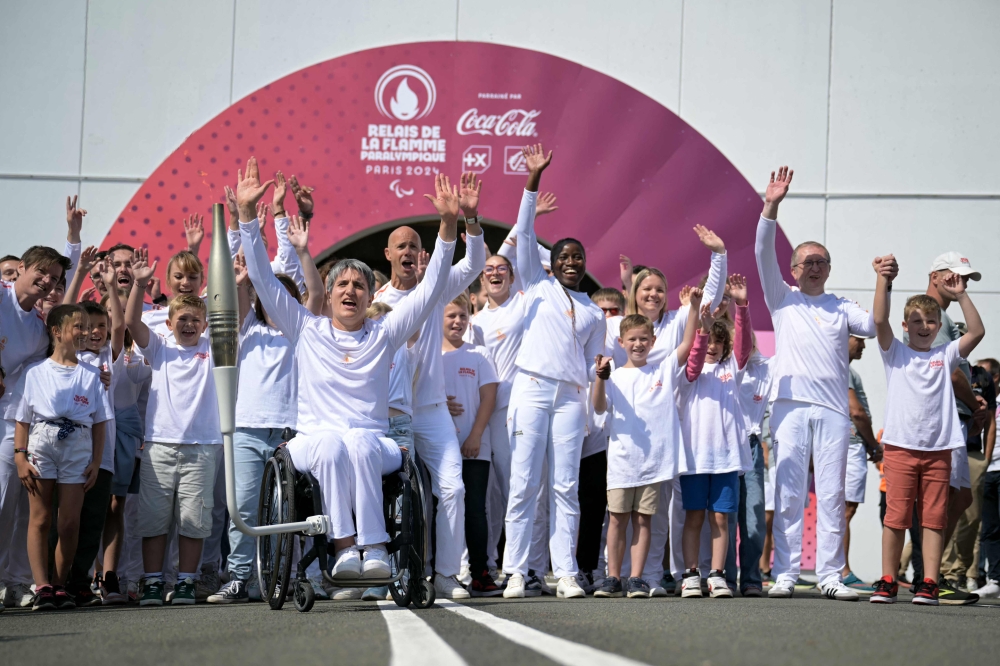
{"x":750,"y":520}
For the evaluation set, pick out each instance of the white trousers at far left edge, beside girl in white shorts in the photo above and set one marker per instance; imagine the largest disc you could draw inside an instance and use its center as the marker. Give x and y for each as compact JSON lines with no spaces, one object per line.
{"x":14,"y":566}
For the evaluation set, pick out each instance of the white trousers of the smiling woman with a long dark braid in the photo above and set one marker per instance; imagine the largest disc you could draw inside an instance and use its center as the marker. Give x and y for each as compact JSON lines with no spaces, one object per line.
{"x":547,"y":423}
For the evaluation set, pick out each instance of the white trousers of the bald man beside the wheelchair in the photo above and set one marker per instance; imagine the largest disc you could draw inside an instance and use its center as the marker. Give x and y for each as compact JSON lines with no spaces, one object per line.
{"x":437,"y":445}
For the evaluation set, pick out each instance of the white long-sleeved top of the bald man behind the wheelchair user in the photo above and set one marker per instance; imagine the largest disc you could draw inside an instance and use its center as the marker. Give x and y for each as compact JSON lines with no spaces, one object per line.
{"x":428,"y":388}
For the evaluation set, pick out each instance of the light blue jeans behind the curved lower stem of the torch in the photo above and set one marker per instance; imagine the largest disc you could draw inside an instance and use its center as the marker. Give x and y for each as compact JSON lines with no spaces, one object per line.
{"x":251,"y":449}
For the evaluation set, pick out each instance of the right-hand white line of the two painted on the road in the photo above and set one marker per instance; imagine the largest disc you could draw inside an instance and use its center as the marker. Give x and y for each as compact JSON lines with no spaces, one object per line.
{"x":557,"y":649}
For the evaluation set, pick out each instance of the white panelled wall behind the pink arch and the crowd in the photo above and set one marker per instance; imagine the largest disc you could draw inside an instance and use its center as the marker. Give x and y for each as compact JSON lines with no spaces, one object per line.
{"x":887,"y":110}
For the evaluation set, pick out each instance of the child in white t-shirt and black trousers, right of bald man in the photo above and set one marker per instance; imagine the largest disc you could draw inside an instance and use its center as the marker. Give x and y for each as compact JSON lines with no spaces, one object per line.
{"x":470,"y":382}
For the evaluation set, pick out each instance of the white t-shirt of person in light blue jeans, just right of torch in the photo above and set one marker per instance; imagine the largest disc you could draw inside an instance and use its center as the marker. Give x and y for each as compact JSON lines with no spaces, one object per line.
{"x":267,"y":385}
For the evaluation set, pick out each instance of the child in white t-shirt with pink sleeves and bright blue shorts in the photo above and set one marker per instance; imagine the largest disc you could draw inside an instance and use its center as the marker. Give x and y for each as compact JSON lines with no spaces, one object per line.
{"x":715,"y":446}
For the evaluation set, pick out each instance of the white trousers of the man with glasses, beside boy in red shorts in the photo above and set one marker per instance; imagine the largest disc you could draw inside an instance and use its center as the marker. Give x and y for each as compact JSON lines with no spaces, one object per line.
{"x":800,"y":430}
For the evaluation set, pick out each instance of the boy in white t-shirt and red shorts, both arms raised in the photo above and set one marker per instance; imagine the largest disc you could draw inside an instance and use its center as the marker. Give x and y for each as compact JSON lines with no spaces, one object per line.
{"x":921,"y":425}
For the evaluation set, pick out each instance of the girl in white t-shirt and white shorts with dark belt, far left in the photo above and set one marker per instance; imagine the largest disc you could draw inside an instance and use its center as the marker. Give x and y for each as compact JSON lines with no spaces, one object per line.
{"x":59,"y":439}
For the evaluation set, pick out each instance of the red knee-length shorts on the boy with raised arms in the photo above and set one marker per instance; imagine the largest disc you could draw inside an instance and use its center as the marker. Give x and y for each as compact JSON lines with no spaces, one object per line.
{"x":916,"y":476}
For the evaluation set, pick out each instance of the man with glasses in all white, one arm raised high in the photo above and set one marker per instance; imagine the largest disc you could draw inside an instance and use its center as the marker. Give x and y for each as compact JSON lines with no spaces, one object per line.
{"x":810,"y":416}
